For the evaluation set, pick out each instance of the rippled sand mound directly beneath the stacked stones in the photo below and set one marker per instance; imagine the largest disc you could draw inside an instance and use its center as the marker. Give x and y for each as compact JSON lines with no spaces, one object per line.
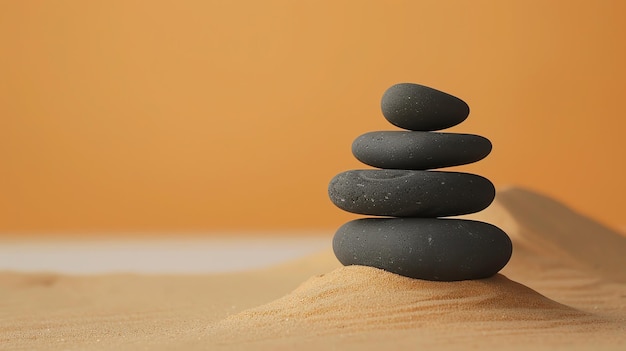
{"x":358,"y":299}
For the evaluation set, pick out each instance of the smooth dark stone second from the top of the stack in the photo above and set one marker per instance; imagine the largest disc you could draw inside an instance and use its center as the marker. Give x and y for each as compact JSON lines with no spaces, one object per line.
{"x":419,"y":150}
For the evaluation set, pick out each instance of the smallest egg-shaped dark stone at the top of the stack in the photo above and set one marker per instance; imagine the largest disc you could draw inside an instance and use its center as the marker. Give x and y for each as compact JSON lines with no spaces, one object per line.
{"x":420,"y":108}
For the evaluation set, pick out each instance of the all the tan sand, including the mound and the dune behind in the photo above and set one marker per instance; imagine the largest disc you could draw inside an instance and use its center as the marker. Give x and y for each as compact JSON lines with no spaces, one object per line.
{"x":565,"y":288}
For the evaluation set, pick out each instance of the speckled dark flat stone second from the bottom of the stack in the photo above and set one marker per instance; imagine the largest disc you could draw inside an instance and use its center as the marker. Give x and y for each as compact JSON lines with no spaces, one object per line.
{"x":407,"y":193}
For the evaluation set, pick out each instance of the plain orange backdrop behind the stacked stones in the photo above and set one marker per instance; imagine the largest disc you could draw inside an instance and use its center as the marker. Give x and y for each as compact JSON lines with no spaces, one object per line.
{"x":186,"y":116}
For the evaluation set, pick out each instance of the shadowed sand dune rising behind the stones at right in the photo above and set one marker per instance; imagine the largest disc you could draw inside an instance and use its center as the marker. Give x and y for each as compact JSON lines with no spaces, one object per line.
{"x":547,"y":228}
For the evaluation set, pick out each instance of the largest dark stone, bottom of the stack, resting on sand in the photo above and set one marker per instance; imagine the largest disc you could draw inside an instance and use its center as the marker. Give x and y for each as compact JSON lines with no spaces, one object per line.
{"x":424,"y":248}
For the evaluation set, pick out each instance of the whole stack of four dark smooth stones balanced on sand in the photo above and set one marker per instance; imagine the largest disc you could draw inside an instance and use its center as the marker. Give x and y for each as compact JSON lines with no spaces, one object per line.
{"x":411,"y":239}
